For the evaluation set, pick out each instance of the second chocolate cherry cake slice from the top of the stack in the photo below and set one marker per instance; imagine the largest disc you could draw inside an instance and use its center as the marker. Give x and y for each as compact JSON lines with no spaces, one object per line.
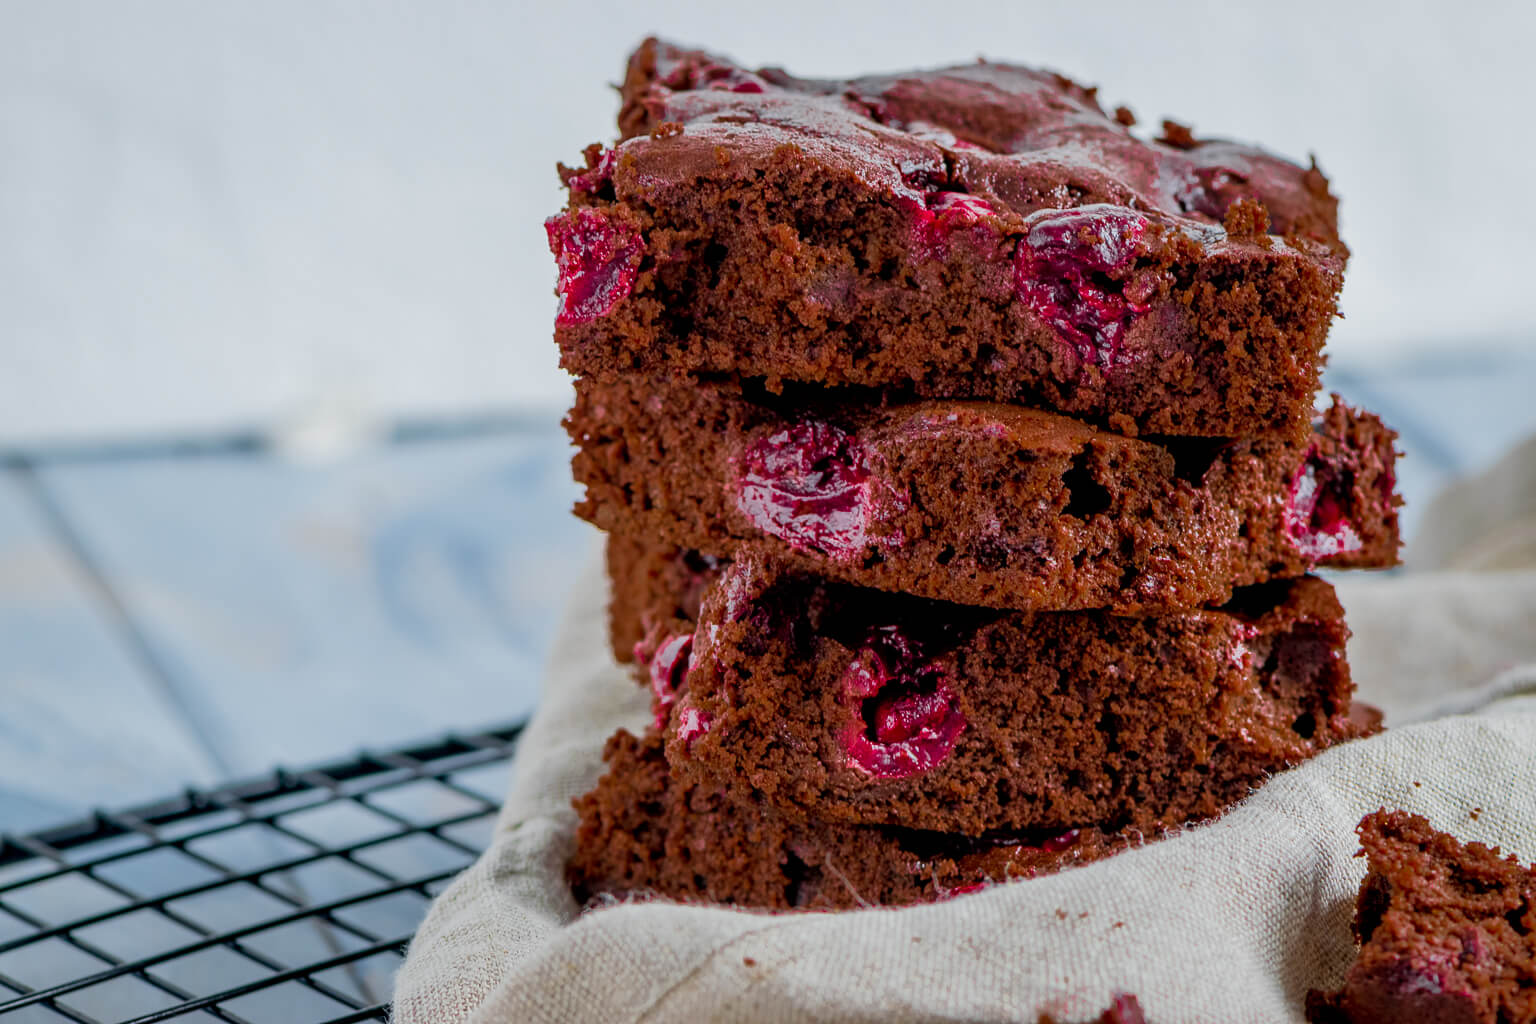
{"x":979,"y":503}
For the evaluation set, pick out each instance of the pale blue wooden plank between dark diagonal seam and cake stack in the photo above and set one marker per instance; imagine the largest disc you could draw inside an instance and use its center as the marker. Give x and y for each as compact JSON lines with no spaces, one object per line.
{"x":308,"y":610}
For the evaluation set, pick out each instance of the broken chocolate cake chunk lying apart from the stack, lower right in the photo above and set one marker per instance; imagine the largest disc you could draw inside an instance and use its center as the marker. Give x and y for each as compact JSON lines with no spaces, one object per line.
{"x":1448,"y":933}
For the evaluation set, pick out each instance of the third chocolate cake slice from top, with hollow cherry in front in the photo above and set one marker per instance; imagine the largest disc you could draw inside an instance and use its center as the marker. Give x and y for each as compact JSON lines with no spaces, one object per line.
{"x":838,"y":704}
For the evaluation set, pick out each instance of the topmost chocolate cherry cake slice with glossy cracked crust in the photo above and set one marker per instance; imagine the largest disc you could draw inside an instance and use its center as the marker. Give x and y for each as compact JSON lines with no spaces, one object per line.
{"x":982,"y":231}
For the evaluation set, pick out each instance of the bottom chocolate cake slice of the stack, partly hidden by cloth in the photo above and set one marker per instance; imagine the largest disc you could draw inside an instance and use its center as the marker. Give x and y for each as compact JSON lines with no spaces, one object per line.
{"x":647,"y":834}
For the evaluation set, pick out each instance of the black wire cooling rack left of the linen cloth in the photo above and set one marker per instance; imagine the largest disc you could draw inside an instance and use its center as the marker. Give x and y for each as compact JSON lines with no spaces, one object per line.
{"x":282,"y":900}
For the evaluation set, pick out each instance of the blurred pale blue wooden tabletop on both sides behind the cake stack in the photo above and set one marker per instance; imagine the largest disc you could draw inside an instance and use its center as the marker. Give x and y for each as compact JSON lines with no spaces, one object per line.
{"x":193,"y":613}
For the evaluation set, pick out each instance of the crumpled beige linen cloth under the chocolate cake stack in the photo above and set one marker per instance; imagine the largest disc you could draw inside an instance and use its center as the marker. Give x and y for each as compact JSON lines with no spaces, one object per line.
{"x":1226,"y":923}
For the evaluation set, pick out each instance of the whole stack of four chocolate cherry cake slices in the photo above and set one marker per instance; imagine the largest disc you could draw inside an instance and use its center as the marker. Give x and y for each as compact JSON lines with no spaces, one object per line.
{"x":958,"y":454}
